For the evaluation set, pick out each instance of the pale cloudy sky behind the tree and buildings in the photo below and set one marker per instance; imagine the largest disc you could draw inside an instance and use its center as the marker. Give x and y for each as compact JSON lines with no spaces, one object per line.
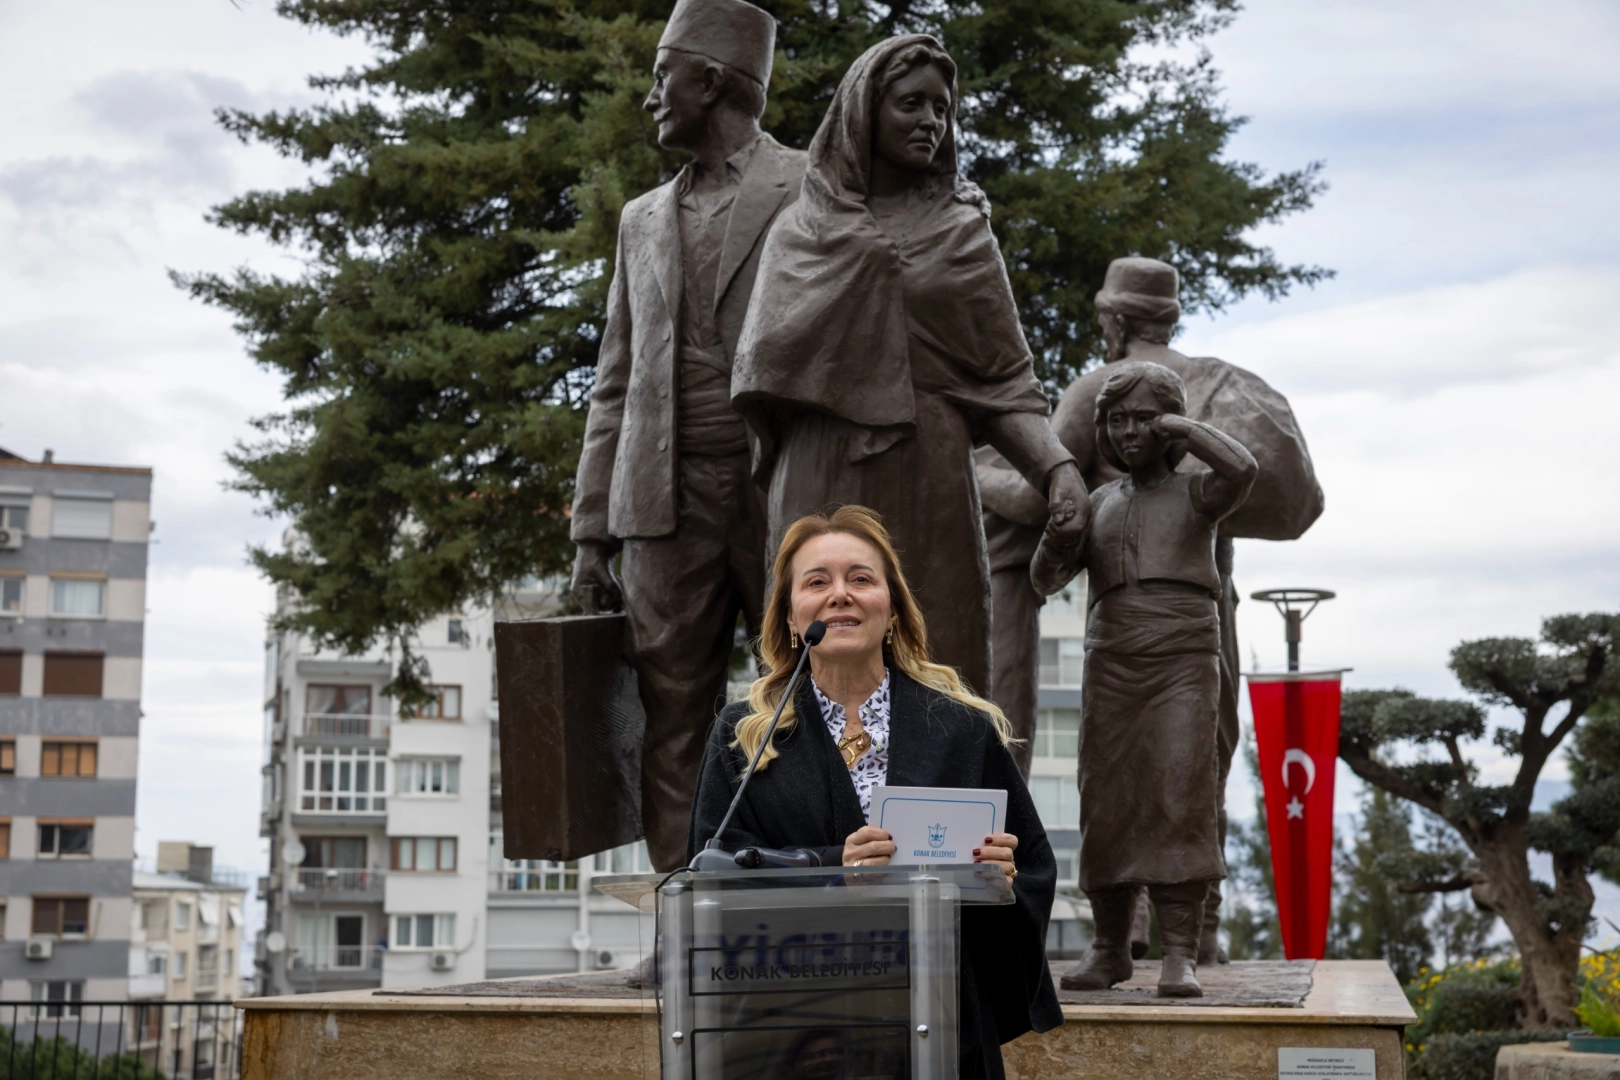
{"x":1457,"y":381}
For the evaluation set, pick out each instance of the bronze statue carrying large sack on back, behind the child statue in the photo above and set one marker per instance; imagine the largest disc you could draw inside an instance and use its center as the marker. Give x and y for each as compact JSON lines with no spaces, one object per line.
{"x":1138,"y":310}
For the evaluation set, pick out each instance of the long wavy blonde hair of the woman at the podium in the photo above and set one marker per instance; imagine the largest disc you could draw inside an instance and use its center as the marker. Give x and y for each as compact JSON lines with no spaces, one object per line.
{"x":908,"y":652}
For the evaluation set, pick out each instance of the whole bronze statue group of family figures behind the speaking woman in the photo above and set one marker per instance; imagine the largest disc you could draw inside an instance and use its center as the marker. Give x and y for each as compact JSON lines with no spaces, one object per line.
{"x":791,"y":331}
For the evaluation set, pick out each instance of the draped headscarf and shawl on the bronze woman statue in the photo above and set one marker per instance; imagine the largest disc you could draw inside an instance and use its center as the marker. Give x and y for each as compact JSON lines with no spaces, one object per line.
{"x":850,"y":321}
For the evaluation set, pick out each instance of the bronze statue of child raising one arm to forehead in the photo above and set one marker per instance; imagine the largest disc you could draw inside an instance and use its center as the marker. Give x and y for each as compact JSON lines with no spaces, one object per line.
{"x":1149,"y":791}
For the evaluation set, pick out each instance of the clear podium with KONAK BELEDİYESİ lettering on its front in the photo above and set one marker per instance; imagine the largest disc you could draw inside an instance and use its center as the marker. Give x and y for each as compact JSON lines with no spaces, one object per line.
{"x":829,"y":972}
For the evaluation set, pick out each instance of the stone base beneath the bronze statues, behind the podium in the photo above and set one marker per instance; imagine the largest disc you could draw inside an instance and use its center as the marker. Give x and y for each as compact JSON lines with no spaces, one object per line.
{"x":587,"y":1029}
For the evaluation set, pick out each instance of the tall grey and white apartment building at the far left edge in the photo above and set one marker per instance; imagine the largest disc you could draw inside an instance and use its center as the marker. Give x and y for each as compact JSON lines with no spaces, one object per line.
{"x":74,"y":550}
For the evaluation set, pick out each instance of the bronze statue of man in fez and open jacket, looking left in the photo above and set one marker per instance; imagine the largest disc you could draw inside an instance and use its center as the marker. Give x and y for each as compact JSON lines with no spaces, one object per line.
{"x":665,"y":472}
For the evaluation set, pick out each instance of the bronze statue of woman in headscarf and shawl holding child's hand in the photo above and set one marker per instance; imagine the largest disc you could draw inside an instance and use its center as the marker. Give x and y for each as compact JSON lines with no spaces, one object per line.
{"x":884,"y":342}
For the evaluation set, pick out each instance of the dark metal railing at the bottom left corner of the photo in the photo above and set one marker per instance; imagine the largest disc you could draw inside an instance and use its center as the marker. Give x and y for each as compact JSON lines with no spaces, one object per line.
{"x":121,"y":1040}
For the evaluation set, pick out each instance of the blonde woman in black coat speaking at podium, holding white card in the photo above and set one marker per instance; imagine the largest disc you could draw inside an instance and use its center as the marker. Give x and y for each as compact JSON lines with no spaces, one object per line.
{"x":877,"y":712}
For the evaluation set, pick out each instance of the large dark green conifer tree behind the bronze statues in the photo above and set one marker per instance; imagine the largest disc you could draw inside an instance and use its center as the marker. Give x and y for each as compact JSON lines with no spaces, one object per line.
{"x":459,"y":224}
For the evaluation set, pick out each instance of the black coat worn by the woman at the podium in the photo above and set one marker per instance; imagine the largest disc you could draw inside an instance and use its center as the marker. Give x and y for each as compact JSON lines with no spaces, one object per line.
{"x":806,"y":799}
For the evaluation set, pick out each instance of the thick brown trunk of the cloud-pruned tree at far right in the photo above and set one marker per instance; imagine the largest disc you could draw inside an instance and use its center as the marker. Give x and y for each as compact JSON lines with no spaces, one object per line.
{"x":1550,"y":958}
